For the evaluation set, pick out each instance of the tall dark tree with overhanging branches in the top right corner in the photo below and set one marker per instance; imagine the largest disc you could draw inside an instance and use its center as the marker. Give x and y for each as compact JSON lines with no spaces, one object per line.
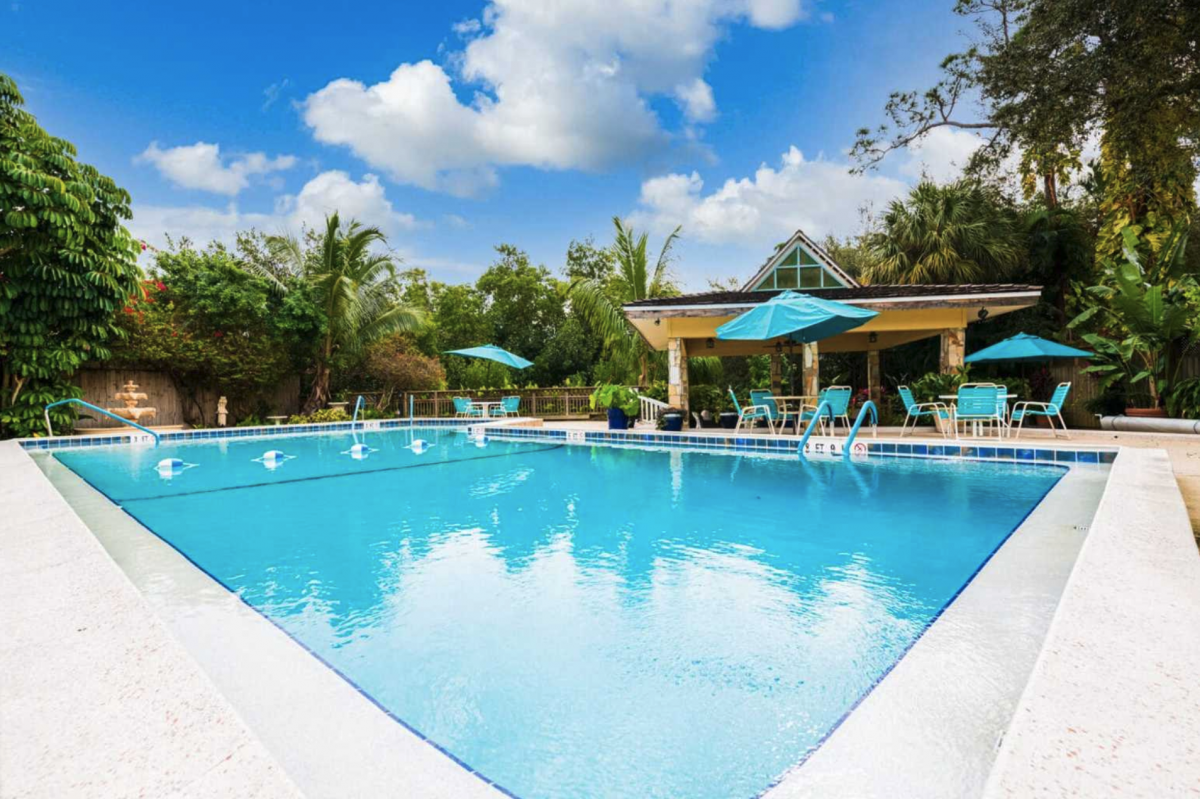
{"x":1049,"y":74}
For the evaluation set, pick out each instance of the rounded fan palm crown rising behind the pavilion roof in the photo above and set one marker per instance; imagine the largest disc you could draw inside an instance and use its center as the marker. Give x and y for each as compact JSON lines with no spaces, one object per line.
{"x":945,"y":235}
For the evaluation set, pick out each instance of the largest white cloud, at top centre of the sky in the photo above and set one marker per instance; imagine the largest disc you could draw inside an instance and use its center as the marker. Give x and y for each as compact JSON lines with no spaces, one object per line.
{"x":559,"y":85}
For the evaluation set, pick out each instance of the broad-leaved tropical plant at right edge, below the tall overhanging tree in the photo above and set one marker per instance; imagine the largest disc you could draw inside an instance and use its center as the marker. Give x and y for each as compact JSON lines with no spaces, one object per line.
{"x":1148,"y":325}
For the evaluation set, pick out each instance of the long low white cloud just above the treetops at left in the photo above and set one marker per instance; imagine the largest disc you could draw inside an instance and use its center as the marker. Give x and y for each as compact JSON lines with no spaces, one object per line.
{"x":328,"y":193}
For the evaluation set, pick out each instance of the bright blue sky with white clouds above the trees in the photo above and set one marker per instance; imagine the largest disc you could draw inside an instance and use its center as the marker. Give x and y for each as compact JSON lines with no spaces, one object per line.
{"x":455,"y":127}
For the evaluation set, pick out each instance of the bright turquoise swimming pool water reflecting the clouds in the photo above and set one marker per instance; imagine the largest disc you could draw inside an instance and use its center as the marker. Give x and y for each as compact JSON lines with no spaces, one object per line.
{"x":585,"y":622}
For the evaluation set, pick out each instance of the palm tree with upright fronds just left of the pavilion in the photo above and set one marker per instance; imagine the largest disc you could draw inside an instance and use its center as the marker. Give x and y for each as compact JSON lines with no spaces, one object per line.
{"x":601,"y":303}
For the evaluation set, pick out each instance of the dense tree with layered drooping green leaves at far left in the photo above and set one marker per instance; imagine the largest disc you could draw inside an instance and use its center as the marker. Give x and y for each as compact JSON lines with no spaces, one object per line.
{"x":67,"y":267}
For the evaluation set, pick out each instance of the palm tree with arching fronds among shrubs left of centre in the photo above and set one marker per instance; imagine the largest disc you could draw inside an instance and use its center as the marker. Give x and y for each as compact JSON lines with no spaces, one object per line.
{"x":353,"y":289}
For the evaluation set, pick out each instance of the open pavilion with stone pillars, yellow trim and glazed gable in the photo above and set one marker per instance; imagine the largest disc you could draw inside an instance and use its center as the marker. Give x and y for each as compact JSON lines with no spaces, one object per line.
{"x":687,"y":326}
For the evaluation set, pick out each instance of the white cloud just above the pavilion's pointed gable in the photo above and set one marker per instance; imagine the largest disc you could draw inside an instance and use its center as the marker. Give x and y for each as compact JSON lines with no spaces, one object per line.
{"x":819,"y":196}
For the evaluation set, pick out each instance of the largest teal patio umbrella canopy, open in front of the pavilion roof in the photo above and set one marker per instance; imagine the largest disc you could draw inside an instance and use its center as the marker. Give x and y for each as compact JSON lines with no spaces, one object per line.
{"x":797,"y":317}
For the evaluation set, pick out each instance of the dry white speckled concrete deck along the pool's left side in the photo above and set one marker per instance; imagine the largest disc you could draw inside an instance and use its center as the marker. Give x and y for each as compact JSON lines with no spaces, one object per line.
{"x":97,"y":698}
